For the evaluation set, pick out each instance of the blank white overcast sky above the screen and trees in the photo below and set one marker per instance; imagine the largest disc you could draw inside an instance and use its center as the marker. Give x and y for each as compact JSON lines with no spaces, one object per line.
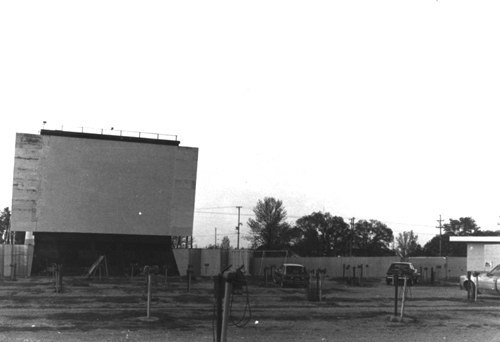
{"x":382,"y":110}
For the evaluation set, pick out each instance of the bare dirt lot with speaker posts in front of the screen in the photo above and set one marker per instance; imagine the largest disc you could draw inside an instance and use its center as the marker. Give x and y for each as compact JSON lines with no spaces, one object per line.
{"x":113,"y":310}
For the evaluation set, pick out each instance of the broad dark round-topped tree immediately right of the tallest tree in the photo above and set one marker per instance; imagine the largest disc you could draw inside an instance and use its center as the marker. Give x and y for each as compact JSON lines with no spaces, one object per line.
{"x":321,"y":234}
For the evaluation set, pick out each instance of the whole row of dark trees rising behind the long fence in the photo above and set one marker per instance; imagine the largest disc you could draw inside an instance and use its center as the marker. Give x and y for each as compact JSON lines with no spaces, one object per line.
{"x":324,"y":234}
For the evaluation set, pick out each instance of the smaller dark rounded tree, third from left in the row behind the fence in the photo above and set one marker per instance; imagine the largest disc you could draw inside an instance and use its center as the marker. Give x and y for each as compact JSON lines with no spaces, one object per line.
{"x":372,"y":238}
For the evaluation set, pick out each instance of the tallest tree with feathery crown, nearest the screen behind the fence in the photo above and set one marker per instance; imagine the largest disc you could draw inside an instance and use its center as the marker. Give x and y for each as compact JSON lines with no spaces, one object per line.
{"x":269,"y":229}
